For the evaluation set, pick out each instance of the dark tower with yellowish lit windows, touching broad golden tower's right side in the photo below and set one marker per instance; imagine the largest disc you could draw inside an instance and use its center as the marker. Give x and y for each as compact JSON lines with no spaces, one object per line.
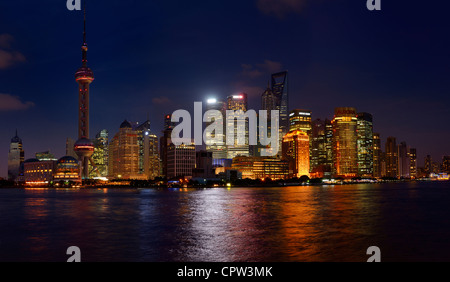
{"x":365,"y":144}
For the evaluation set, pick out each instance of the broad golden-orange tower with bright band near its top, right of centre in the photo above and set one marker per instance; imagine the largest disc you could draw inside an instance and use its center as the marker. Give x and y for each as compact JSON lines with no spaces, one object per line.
{"x":345,"y":149}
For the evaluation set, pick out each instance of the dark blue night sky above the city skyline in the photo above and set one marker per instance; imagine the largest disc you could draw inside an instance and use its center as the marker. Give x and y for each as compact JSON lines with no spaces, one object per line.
{"x":153,"y":57}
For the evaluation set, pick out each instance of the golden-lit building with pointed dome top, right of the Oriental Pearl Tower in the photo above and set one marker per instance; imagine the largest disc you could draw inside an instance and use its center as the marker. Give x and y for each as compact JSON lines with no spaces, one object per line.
{"x":124,"y":153}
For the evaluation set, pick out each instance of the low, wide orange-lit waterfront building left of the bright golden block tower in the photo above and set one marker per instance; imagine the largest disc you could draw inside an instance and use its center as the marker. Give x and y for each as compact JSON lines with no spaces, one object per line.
{"x":261,"y":167}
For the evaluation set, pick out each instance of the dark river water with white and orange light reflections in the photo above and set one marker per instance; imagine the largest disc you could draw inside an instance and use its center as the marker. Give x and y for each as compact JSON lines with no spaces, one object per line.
{"x":407,"y":221}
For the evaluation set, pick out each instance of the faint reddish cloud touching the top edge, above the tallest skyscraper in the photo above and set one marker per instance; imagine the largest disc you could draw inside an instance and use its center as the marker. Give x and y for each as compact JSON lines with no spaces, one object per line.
{"x":280,"y":8}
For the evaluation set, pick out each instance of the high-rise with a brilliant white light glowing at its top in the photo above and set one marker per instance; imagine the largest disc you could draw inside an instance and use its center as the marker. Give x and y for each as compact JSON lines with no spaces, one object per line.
{"x":219,"y":151}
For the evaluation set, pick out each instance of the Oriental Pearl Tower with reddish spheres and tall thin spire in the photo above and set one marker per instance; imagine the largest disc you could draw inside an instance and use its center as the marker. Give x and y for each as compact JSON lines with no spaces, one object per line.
{"x":84,"y":76}
